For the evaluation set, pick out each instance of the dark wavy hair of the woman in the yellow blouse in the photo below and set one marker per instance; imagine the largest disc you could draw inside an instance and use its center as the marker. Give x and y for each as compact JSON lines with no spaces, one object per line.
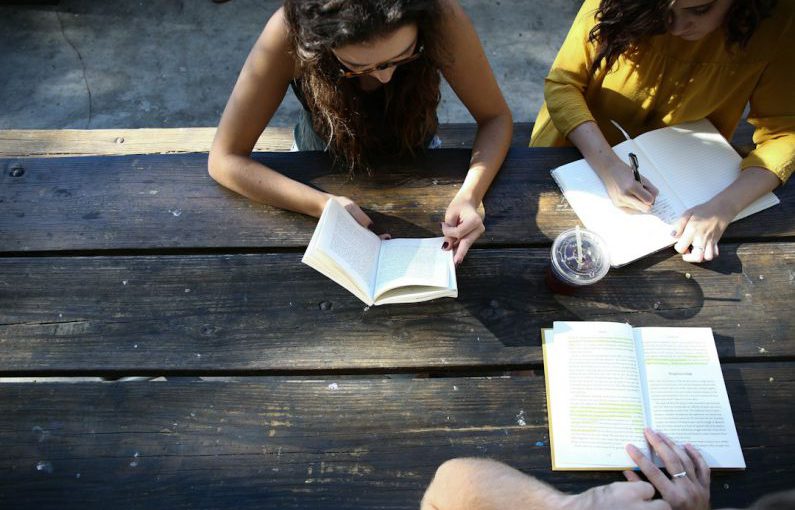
{"x":623,"y":24}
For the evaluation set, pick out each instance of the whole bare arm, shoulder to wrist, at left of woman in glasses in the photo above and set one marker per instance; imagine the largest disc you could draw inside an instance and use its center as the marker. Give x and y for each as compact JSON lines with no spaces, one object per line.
{"x":258,"y":92}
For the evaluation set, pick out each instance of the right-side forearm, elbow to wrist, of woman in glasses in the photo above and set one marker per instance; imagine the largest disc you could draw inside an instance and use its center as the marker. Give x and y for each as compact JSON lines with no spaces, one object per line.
{"x":488,"y":152}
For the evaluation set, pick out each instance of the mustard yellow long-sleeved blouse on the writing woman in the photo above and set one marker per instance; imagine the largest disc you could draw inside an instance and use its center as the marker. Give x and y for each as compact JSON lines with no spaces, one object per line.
{"x":672,"y":81}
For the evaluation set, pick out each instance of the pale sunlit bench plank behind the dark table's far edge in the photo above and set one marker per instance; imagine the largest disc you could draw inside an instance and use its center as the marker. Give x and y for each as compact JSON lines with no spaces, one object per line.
{"x":44,"y":143}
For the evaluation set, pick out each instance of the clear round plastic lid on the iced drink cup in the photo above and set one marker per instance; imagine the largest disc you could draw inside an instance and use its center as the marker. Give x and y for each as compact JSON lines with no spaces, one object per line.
{"x":583,"y":265}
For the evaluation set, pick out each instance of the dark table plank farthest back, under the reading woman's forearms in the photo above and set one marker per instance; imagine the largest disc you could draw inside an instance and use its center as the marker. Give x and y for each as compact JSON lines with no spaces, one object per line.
{"x":169,"y":201}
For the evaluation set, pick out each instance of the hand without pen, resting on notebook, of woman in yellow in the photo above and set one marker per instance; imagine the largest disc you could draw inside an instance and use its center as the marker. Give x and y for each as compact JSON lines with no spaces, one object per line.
{"x":699,"y":230}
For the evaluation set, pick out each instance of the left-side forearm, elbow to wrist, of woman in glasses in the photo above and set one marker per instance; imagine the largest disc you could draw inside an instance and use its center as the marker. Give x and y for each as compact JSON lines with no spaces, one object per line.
{"x":256,"y":181}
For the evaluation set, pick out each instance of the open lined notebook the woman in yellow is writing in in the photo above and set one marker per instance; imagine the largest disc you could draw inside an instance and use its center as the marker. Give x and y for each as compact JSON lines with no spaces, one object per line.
{"x":689,"y":163}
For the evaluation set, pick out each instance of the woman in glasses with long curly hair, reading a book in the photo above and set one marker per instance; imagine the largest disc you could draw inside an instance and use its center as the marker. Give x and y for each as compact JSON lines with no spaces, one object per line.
{"x":367,"y":73}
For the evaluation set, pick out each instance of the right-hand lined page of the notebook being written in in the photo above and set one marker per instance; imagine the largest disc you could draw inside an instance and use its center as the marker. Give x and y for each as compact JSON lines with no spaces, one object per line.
{"x":697,"y":162}
